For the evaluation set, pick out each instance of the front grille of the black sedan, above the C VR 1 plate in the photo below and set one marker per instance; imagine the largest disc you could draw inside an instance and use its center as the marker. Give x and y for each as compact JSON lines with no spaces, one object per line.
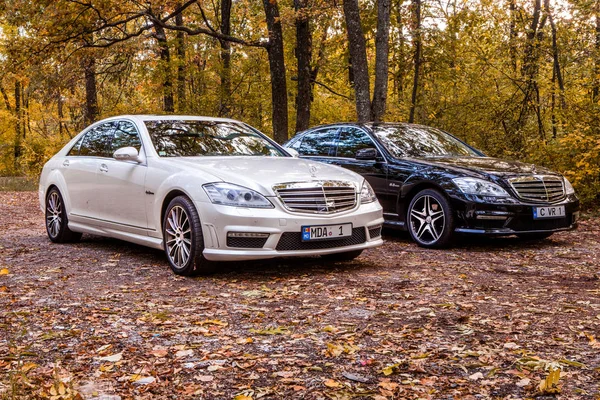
{"x":539,"y":188}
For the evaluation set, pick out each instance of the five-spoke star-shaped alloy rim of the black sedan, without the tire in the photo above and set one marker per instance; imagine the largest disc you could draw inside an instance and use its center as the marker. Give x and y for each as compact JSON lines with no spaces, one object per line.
{"x":427,"y":219}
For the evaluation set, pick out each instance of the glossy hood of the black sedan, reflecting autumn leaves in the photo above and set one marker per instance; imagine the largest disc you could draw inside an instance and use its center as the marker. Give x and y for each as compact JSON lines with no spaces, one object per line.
{"x":487,"y":166}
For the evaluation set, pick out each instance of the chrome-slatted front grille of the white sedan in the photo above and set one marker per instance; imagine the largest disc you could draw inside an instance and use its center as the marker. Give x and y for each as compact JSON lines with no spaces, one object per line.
{"x":320,"y":197}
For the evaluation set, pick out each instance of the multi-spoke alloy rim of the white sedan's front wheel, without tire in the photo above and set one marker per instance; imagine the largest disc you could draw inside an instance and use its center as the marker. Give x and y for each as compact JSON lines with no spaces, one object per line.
{"x":178,"y":237}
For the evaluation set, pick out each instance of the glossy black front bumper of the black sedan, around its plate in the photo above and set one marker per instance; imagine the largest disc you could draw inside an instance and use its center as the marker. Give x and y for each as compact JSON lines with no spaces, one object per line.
{"x":509,"y":219}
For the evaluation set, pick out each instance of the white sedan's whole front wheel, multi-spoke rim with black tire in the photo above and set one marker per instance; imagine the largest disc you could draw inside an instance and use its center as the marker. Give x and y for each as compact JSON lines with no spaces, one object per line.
{"x":183,"y":240}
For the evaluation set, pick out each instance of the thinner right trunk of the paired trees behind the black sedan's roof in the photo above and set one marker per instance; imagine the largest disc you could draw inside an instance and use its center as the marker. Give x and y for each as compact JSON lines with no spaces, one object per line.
{"x":381,"y":59}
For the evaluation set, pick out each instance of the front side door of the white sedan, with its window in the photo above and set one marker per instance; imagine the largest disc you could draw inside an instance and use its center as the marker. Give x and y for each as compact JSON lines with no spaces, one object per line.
{"x":121,"y":184}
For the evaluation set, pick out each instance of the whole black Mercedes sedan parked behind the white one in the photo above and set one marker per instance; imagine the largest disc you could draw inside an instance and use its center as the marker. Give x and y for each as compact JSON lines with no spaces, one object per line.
{"x":435,"y":185}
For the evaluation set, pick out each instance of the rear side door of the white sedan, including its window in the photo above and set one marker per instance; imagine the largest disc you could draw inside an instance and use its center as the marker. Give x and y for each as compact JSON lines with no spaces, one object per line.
{"x":80,"y":167}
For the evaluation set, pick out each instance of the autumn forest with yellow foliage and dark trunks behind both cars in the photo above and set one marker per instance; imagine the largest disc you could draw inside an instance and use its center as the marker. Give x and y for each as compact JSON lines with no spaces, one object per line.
{"x":518,"y":79}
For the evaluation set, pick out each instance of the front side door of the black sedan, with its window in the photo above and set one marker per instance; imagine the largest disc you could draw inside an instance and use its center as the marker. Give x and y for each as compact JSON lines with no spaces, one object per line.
{"x":352,"y":139}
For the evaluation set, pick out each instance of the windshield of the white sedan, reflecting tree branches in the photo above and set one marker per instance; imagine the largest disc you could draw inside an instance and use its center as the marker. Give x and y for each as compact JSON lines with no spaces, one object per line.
{"x":192,"y":138}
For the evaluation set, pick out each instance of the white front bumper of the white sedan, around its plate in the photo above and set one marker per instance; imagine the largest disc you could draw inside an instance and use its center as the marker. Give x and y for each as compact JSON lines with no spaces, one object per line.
{"x":280,"y":231}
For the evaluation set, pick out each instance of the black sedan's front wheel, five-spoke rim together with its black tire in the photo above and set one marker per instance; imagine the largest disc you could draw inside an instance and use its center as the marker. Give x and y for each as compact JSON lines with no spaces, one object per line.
{"x":430,"y":219}
